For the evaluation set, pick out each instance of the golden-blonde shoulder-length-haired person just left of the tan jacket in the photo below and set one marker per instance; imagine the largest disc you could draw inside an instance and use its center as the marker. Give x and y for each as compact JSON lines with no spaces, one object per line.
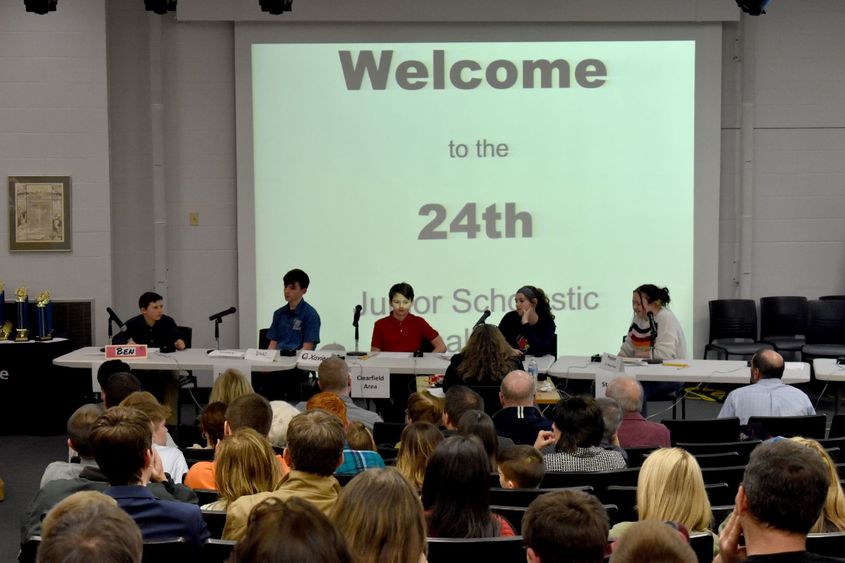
{"x":244,"y":464}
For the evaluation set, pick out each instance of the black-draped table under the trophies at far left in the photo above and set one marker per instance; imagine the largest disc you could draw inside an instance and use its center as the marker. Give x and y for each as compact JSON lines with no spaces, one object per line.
{"x":37,"y":397}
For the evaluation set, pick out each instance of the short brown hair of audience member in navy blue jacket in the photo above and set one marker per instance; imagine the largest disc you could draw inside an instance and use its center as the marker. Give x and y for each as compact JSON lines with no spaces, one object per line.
{"x":121,"y":438}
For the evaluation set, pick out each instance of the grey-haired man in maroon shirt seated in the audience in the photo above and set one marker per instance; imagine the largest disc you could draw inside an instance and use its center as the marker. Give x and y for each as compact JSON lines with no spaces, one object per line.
{"x":635,"y":431}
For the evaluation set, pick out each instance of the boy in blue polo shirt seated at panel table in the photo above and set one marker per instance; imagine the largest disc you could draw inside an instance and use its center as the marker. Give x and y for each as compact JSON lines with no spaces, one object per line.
{"x":296,"y":325}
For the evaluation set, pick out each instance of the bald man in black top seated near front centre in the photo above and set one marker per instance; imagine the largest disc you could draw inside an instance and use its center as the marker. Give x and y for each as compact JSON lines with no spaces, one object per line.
{"x":520,"y":420}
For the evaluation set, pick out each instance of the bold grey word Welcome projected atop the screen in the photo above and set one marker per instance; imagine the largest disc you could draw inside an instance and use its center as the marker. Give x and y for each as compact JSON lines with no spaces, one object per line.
{"x":465,"y":74}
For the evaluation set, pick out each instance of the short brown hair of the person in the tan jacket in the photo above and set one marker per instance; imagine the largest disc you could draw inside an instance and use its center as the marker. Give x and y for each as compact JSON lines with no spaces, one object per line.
{"x":315,"y":442}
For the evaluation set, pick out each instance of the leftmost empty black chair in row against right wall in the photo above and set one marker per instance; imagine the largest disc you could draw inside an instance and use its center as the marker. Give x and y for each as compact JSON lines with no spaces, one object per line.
{"x":733,"y":328}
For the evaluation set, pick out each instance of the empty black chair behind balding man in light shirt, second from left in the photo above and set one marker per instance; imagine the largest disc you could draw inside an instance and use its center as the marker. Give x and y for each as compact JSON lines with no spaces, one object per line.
{"x":783,"y":323}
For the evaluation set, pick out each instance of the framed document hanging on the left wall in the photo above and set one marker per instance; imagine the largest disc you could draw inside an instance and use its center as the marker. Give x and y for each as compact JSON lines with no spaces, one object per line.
{"x":39,"y":213}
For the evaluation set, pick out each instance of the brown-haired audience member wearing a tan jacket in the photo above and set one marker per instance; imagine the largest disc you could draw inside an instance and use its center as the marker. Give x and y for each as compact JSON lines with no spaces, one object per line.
{"x":314,"y":451}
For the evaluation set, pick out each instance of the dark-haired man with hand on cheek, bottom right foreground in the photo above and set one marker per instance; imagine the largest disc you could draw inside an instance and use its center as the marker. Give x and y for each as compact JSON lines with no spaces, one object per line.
{"x":781,"y":496}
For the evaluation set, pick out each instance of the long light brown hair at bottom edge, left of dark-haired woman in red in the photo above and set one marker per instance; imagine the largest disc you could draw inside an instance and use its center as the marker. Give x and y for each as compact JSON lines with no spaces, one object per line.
{"x":376,"y":535}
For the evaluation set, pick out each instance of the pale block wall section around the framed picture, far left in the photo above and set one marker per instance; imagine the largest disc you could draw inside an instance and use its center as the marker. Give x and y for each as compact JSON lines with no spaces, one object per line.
{"x":54,"y":121}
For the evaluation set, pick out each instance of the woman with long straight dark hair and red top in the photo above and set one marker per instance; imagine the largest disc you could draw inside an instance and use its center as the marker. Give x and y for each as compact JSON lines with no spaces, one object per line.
{"x":455,"y":492}
